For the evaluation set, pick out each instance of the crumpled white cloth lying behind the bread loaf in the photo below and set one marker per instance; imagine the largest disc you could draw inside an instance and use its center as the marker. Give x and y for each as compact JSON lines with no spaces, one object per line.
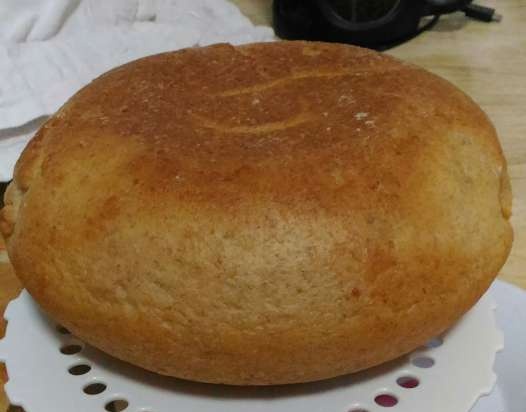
{"x":51,"y":48}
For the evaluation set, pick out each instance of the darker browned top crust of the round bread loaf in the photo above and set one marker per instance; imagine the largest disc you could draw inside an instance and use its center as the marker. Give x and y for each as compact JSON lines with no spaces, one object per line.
{"x":303,"y":125}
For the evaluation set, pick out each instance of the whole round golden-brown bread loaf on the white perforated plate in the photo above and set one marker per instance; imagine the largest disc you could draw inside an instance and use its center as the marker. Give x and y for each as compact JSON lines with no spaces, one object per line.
{"x":264,"y":214}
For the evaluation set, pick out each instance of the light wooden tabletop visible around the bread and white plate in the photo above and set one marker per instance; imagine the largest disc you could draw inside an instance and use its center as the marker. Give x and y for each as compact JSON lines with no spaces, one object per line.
{"x":488,"y":61}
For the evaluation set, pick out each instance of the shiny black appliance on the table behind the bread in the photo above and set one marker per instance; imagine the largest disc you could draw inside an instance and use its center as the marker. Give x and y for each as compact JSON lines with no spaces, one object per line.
{"x":377,"y":24}
